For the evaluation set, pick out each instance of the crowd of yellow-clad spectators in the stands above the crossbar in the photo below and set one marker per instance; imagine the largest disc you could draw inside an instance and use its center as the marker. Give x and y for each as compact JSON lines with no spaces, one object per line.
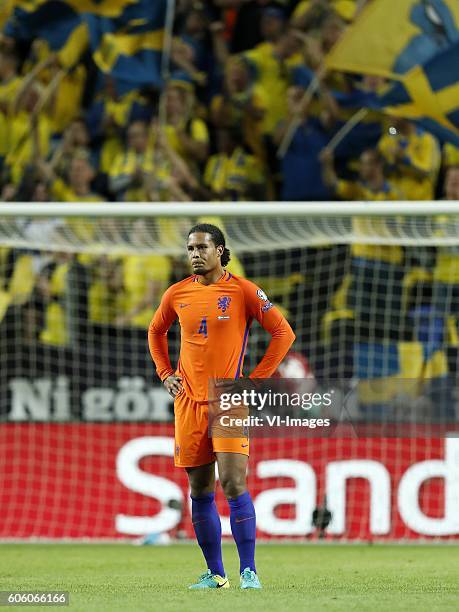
{"x":239,"y":72}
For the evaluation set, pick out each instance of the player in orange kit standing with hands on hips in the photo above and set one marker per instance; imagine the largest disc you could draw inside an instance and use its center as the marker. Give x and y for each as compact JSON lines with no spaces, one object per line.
{"x":215,"y":310}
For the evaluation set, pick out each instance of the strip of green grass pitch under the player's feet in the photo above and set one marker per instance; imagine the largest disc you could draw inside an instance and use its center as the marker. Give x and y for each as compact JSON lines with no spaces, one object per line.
{"x":294,"y":577}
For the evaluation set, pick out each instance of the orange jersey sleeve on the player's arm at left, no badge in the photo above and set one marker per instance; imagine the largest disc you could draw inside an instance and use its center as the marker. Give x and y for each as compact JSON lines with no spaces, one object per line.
{"x":157,"y":335}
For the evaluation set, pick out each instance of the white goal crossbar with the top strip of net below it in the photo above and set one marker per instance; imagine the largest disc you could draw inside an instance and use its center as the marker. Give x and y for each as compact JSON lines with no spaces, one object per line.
{"x":249,"y":224}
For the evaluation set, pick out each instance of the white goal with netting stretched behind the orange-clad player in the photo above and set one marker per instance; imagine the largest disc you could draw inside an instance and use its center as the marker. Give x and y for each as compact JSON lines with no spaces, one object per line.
{"x":86,"y":432}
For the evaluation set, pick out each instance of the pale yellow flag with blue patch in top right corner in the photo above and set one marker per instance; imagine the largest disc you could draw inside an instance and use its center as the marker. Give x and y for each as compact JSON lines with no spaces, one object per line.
{"x":390,"y":37}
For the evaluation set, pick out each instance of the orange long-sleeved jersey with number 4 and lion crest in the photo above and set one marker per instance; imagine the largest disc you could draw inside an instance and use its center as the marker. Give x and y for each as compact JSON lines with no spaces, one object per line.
{"x":215,"y":321}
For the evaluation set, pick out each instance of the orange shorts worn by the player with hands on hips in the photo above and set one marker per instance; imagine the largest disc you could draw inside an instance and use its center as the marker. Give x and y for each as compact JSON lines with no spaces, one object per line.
{"x":193,"y":445}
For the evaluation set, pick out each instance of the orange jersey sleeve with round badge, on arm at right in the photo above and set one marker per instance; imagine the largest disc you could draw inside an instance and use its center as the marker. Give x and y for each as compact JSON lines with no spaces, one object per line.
{"x":273,"y":321}
